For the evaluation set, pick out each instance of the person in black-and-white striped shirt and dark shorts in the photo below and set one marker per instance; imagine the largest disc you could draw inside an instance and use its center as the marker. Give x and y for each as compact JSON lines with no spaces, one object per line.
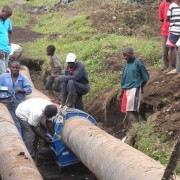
{"x":173,"y":16}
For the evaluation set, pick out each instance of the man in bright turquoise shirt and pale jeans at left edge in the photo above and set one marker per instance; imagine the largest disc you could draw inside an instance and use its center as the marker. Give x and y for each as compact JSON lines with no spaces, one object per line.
{"x":5,"y":38}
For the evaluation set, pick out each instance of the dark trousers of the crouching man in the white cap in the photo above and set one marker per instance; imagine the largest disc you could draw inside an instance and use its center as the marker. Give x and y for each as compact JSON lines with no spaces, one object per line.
{"x":73,"y":87}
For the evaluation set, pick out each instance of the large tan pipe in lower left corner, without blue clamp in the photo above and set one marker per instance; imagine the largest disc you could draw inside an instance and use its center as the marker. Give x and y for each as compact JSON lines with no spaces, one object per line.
{"x":15,"y":160}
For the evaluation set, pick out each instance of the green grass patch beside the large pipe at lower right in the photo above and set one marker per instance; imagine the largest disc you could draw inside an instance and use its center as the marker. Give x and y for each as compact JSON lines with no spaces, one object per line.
{"x":152,"y":143}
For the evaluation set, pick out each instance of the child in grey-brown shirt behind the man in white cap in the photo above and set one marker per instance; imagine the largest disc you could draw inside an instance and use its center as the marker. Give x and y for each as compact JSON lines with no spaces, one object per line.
{"x":55,"y":70}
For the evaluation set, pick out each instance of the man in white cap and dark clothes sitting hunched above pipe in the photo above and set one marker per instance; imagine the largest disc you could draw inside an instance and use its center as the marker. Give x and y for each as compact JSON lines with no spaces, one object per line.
{"x":74,"y":83}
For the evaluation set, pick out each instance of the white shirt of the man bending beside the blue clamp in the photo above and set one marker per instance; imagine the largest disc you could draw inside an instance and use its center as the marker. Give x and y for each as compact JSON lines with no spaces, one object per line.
{"x":32,"y":111}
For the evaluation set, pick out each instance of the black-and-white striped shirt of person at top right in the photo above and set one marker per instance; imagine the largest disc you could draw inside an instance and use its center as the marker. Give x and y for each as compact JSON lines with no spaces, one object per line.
{"x":174,"y":15}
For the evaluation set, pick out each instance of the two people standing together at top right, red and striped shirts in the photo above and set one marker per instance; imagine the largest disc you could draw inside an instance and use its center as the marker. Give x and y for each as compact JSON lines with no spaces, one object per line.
{"x":169,"y":15}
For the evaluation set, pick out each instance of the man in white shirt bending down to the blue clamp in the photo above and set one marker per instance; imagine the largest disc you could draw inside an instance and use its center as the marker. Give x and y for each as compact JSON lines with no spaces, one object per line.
{"x":31,"y":114}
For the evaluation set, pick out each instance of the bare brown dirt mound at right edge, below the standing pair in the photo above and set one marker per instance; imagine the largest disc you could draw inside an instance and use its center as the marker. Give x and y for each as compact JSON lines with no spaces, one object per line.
{"x":163,"y":95}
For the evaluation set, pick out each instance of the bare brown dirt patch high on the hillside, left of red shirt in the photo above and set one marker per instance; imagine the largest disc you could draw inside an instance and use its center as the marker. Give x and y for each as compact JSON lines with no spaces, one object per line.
{"x":127,"y":19}
